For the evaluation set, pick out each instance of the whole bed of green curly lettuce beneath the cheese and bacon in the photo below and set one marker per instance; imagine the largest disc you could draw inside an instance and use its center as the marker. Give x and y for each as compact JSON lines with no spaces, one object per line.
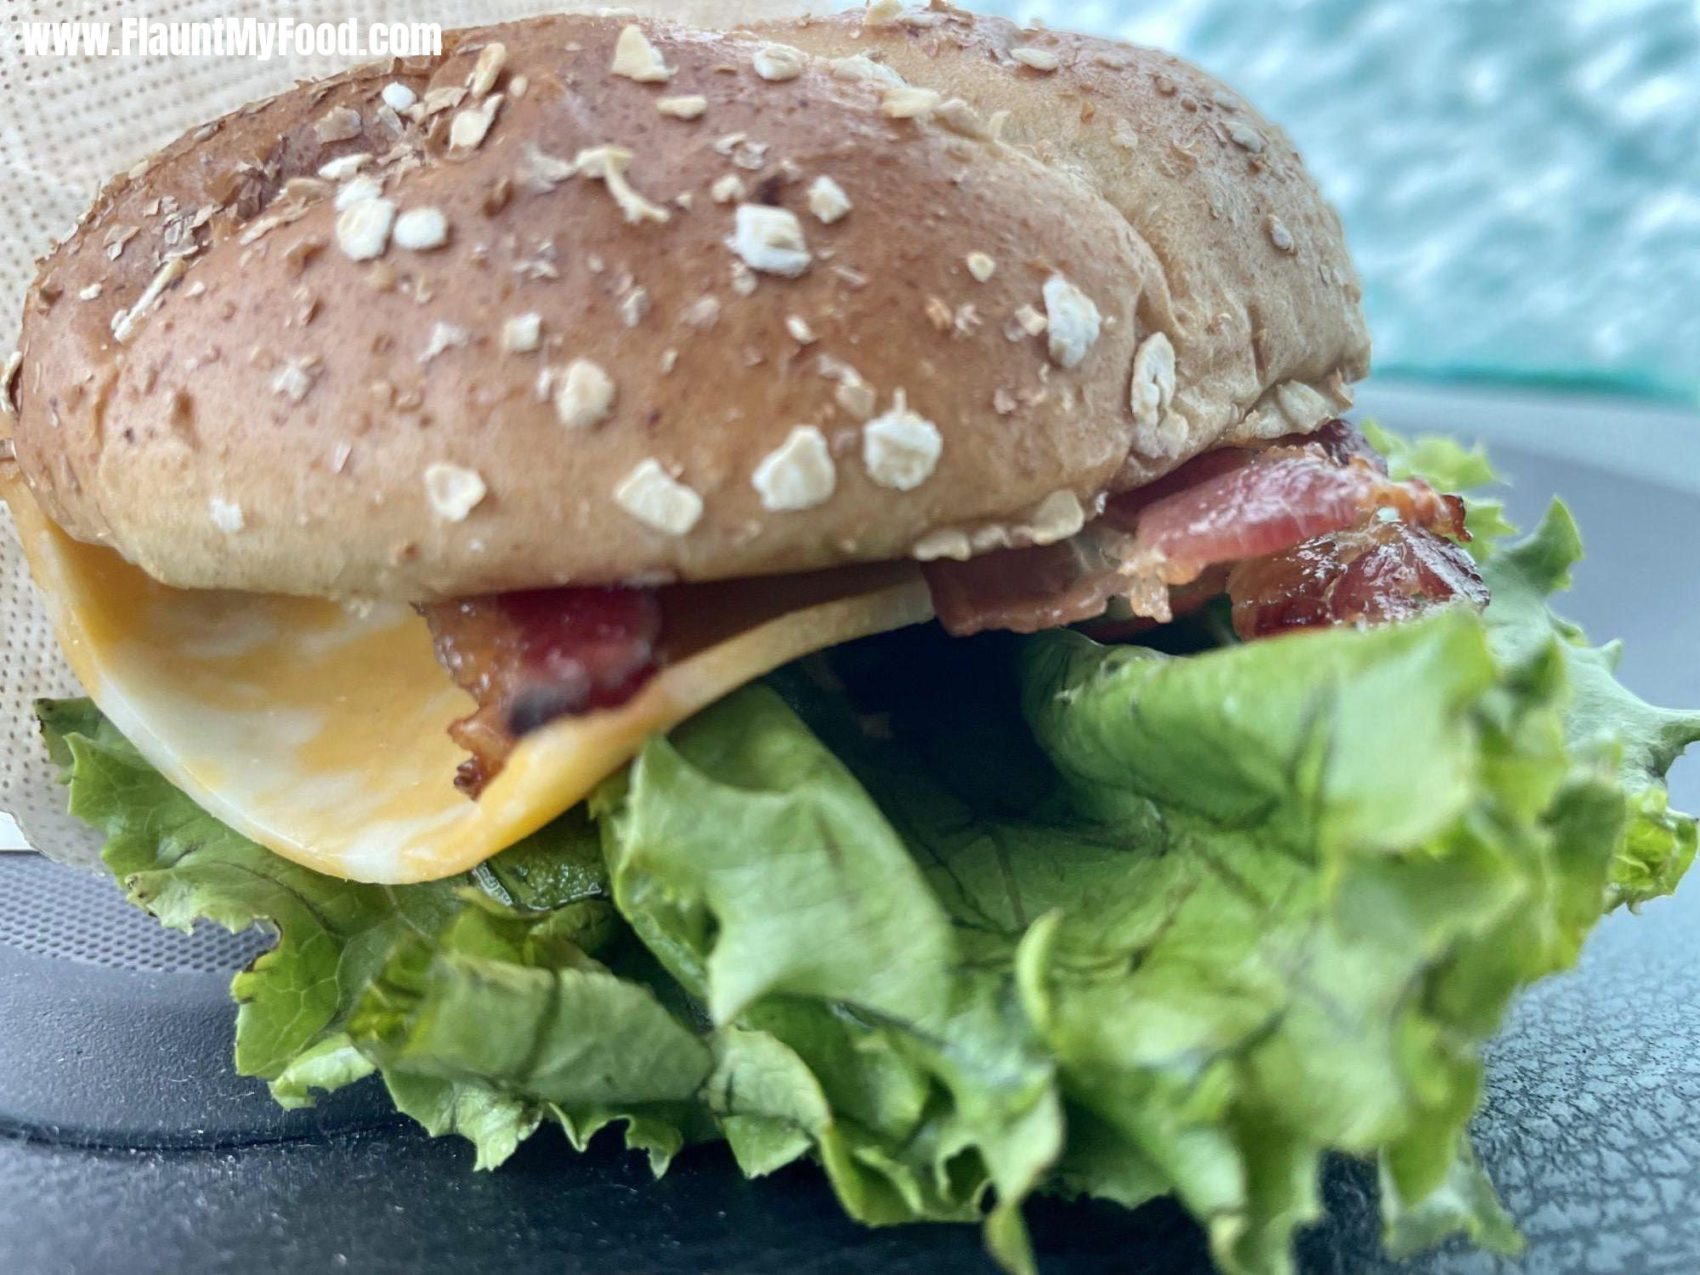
{"x":963,"y":921}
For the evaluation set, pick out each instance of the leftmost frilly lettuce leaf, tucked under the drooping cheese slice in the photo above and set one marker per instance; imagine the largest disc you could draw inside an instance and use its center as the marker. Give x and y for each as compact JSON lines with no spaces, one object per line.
{"x":337,"y":941}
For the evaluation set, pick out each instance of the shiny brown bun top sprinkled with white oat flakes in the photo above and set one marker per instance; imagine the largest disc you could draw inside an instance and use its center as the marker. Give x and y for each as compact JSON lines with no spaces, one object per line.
{"x":591,"y":302}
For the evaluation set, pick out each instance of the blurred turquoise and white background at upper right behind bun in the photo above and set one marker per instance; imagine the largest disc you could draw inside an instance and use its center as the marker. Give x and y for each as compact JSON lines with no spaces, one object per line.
{"x":1521,"y":179}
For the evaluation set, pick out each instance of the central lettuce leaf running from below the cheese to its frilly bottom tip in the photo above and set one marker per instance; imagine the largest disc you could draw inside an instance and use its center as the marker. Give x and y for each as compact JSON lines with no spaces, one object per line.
{"x":769,"y":885}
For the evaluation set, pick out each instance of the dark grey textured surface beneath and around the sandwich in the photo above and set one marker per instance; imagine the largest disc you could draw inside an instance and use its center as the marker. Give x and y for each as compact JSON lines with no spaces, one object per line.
{"x":133,"y":1148}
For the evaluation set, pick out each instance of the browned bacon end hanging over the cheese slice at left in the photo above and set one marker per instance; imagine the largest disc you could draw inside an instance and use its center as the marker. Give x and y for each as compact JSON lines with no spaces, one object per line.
{"x":538,"y":655}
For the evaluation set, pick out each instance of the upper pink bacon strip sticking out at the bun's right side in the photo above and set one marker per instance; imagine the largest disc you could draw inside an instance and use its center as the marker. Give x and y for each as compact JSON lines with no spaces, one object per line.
{"x":1220,"y":509}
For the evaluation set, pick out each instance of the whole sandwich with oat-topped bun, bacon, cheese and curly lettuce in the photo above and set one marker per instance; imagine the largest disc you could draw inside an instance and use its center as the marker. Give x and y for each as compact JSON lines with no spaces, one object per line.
{"x":812,"y":587}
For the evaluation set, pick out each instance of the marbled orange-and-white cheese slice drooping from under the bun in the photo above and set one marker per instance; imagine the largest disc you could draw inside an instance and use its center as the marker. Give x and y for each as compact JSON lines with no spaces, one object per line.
{"x":324,"y":735}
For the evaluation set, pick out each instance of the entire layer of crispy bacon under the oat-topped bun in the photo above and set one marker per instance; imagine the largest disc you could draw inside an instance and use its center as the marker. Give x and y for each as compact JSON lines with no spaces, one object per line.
{"x":1306,"y":531}
